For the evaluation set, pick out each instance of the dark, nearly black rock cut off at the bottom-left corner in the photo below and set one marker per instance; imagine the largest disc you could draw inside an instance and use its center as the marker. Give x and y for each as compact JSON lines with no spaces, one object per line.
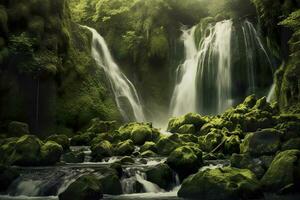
{"x":7,"y":176}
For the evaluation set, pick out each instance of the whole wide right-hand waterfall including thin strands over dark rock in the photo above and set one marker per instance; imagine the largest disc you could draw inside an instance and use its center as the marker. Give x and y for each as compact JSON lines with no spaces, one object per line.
{"x":206,"y":81}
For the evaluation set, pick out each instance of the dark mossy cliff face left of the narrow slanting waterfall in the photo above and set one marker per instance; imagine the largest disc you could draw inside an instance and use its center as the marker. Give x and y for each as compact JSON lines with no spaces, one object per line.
{"x":48,"y":78}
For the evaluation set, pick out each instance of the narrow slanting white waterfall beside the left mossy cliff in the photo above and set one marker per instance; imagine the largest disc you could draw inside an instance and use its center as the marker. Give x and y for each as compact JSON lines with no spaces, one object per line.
{"x":124,"y":91}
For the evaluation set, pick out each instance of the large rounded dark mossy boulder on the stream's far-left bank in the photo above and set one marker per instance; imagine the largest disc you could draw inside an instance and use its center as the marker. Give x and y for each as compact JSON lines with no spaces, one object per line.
{"x":26,"y":151}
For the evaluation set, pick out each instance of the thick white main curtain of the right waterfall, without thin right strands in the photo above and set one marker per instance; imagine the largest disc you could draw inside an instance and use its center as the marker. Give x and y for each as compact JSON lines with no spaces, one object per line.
{"x":204,"y":79}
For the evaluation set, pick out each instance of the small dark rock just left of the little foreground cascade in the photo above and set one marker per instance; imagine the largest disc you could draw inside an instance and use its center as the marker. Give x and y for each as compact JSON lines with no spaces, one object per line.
{"x":111,"y":184}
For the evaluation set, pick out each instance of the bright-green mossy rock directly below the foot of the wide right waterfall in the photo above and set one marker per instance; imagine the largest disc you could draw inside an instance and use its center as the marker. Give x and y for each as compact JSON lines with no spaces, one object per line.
{"x":191,"y":118}
